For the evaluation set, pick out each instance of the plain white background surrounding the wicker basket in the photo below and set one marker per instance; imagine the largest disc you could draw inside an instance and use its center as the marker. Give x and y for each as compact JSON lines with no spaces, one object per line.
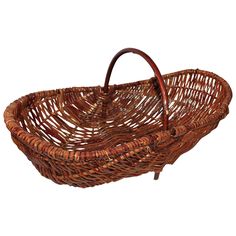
{"x":55,"y":44}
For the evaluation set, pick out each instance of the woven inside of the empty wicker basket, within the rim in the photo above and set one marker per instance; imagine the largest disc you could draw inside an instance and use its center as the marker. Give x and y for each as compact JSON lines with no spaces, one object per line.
{"x":87,"y":119}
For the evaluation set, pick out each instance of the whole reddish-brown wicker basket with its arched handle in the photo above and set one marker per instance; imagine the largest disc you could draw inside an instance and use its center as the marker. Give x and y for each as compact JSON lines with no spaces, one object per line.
{"x":85,"y":136}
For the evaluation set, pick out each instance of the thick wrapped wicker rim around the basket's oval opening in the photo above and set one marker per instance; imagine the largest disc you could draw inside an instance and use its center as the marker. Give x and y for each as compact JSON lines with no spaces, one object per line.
{"x":54,"y":152}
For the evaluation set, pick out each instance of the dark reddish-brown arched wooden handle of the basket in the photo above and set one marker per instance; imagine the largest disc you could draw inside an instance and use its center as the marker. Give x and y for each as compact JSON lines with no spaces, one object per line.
{"x":157,"y":76}
